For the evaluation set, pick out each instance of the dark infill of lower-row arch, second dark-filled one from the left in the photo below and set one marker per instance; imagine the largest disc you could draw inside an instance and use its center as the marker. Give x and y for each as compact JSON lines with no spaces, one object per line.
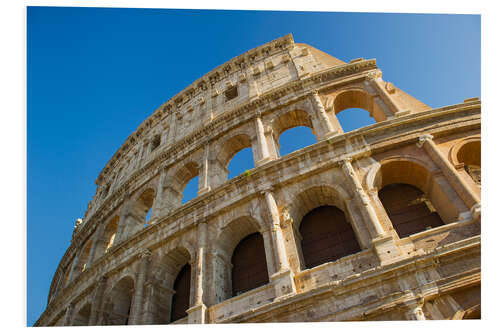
{"x":249,"y":264}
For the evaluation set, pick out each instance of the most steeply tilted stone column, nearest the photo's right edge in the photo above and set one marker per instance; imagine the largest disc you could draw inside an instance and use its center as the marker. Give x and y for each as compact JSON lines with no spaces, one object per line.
{"x":463,"y":189}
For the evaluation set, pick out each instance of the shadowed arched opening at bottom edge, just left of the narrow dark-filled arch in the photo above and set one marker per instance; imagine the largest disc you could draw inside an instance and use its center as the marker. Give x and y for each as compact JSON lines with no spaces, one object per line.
{"x":119,"y":301}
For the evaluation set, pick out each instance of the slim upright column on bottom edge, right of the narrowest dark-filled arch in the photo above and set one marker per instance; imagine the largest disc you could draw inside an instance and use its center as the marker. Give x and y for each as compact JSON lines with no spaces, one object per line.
{"x":197,"y":313}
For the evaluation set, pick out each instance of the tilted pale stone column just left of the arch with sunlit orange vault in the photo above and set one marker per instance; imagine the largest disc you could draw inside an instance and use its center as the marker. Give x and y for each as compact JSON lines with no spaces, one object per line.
{"x":364,"y":203}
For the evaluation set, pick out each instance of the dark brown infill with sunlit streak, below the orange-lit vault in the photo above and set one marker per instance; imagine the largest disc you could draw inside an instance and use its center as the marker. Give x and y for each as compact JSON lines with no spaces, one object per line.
{"x":409,"y":209}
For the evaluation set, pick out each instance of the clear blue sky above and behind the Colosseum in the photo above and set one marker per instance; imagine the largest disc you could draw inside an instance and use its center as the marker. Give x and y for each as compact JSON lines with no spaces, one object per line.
{"x":95,"y":74}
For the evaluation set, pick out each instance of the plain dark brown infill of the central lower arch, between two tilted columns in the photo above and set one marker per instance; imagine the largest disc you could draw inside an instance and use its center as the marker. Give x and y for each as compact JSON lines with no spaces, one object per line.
{"x":326,"y":236}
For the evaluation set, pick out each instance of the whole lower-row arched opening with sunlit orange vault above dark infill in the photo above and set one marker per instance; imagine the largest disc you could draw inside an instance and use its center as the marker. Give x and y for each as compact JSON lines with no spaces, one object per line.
{"x":412,"y":198}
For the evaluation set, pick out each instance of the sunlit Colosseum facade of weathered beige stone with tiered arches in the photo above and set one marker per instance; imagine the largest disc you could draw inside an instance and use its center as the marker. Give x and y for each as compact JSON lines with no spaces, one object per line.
{"x":379,"y":223}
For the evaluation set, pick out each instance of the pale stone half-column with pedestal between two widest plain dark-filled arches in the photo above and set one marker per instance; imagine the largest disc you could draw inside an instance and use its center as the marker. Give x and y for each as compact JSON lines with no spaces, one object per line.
{"x":282,"y":277}
